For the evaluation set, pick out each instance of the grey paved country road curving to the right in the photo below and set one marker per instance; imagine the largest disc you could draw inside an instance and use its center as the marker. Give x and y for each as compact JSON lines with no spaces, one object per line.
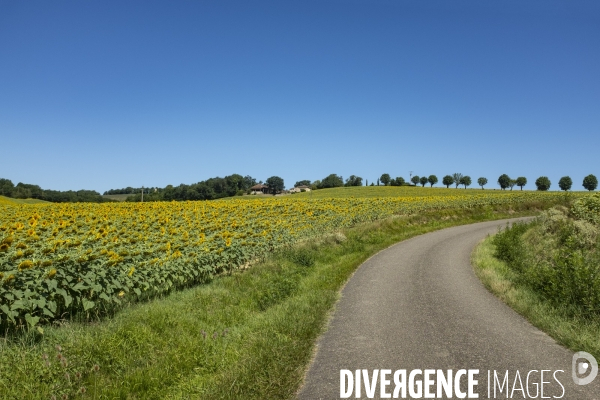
{"x":419,"y":305}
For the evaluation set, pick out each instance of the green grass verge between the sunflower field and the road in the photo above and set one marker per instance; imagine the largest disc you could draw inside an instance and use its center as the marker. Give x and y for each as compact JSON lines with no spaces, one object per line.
{"x":247,"y":335}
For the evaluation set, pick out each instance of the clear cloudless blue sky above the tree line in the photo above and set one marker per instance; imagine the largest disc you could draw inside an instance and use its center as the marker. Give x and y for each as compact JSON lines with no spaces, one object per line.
{"x":109,"y":94}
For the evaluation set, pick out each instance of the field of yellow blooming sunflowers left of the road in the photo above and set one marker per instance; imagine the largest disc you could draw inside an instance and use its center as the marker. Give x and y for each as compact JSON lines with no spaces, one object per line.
{"x":59,"y":260}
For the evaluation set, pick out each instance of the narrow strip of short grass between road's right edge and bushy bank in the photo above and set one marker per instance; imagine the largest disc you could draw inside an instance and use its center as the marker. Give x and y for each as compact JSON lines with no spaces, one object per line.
{"x":574,"y":332}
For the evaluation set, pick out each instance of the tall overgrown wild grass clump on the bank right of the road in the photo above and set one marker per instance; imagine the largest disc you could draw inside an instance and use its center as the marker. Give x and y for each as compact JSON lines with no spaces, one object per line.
{"x":558,"y":255}
